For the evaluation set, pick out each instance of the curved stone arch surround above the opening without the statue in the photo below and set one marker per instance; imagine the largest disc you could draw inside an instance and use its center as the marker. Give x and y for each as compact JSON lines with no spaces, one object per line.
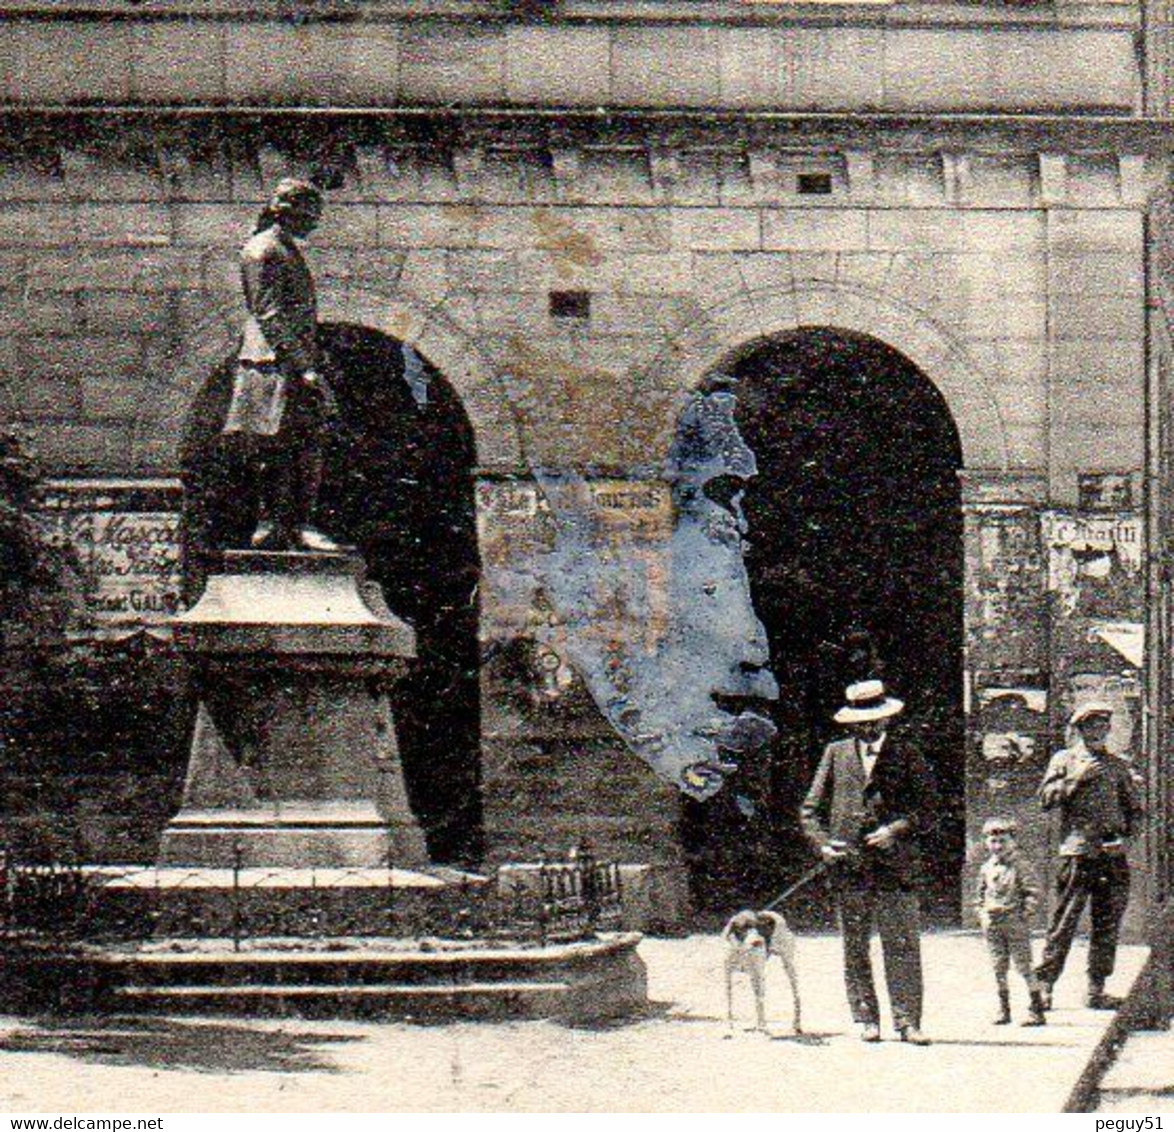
{"x":736,"y":327}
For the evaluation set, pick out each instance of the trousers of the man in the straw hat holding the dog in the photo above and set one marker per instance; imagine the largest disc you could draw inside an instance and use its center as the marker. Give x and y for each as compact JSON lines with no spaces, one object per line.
{"x":896,"y":918}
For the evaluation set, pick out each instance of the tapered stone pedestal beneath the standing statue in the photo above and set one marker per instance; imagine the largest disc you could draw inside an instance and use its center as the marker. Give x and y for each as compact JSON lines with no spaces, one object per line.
{"x":294,"y":762}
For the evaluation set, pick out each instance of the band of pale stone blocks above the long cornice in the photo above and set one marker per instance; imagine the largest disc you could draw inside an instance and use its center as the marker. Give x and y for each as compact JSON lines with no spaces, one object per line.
{"x":872,"y":57}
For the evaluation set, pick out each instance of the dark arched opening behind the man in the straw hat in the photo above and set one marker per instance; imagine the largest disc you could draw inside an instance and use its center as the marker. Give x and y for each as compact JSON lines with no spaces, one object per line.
{"x":856,"y":569}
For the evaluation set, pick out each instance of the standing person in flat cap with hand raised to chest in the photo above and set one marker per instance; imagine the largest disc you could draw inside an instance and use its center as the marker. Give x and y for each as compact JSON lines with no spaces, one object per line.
{"x":1099,"y":808}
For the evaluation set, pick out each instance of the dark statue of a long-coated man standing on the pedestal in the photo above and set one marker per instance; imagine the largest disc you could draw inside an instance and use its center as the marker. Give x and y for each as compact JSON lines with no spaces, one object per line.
{"x":282,"y":402}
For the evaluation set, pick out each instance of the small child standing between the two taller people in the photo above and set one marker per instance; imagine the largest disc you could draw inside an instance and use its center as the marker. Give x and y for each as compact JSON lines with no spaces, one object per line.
{"x":1008,"y":893}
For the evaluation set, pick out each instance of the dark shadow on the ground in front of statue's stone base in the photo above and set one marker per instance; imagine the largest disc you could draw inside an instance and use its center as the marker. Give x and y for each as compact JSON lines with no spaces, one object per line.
{"x":168,"y":1045}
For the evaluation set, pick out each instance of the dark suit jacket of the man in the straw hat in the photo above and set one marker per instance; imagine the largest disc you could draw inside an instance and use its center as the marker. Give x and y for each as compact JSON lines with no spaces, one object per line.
{"x":842,"y":806}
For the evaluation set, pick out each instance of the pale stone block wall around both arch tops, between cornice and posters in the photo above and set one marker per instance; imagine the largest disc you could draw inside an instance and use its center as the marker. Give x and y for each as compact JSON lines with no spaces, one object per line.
{"x":120,"y":291}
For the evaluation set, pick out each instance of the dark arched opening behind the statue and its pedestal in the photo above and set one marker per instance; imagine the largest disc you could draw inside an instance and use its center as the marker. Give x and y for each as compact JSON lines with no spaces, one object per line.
{"x":400,"y":487}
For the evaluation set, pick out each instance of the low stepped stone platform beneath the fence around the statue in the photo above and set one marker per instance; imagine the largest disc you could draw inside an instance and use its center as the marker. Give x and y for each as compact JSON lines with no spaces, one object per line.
{"x":397,"y":980}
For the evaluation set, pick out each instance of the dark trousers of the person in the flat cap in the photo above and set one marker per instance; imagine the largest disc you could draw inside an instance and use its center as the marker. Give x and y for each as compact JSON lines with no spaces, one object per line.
{"x":1104,"y":884}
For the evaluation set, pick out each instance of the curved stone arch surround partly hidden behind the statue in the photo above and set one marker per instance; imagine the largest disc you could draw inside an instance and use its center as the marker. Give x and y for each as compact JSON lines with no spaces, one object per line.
{"x":424,"y":327}
